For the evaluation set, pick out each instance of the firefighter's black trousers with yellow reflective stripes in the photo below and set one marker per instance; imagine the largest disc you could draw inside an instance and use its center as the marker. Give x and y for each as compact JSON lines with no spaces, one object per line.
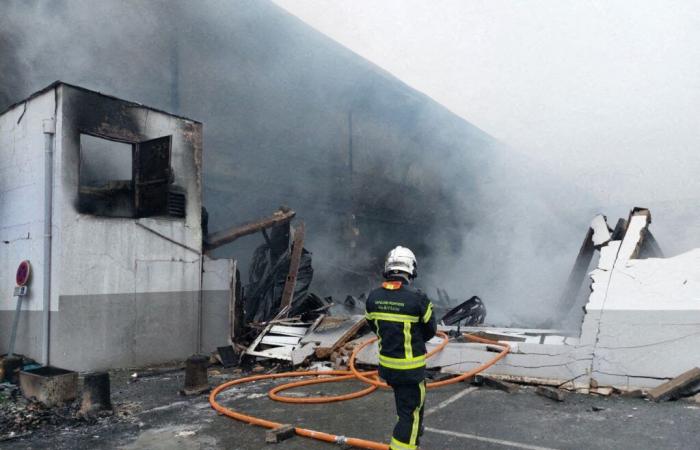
{"x":410,"y":401}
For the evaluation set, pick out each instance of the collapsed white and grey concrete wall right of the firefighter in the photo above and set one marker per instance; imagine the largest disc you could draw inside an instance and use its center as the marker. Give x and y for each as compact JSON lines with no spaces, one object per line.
{"x":641,"y":325}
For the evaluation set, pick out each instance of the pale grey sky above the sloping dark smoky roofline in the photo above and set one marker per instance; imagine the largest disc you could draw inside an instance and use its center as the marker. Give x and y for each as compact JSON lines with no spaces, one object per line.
{"x":605,"y":93}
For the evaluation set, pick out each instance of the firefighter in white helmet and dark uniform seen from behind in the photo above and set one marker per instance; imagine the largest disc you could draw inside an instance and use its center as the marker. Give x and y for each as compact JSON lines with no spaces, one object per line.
{"x":402,"y":317}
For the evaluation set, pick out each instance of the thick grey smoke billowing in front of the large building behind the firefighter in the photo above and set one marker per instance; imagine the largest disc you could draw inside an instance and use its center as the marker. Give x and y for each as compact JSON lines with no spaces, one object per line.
{"x":293,"y":118}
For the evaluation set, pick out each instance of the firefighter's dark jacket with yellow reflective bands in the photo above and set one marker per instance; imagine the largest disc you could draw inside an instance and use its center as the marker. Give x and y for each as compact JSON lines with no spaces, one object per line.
{"x":402,"y":317}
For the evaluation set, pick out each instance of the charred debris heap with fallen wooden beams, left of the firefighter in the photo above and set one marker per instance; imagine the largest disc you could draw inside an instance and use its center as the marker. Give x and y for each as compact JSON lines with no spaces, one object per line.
{"x":279,"y":313}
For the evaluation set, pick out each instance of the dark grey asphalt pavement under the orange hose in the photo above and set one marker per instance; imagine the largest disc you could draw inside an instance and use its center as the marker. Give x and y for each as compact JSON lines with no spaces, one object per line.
{"x":460,"y":416}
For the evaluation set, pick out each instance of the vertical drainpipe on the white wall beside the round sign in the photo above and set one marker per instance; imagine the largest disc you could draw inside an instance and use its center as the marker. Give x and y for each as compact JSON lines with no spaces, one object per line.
{"x":49,"y":126}
